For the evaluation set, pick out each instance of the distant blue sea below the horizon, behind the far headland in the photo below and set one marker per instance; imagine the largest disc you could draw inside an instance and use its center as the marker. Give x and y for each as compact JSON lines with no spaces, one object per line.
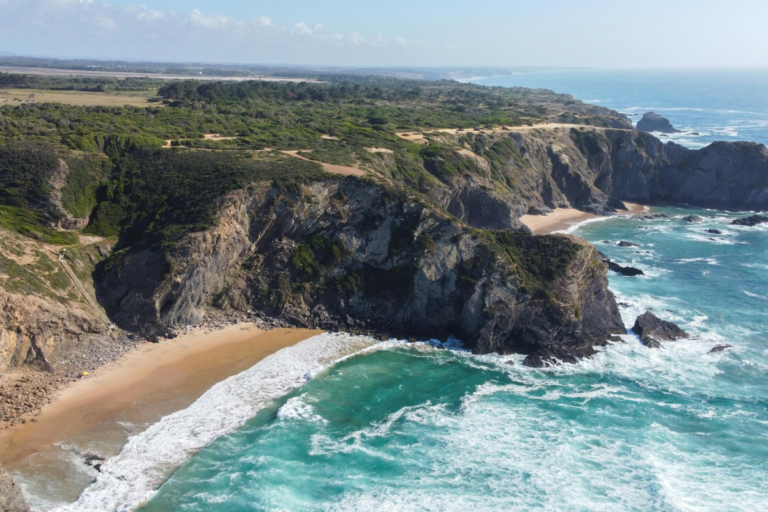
{"x":729,"y":105}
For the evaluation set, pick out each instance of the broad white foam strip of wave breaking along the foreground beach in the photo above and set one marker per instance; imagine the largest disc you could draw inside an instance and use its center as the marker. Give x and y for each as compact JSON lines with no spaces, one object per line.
{"x":149,"y":458}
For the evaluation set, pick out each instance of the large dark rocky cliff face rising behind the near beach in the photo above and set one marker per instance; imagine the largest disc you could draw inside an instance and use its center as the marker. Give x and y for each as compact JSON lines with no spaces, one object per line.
{"x":354,"y":255}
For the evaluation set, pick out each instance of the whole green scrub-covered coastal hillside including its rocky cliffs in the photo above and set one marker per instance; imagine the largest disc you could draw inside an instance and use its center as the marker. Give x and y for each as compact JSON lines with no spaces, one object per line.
{"x":233,"y":199}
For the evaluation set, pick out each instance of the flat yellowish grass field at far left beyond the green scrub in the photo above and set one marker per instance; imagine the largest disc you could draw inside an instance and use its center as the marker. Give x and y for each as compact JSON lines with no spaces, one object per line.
{"x":78,"y":98}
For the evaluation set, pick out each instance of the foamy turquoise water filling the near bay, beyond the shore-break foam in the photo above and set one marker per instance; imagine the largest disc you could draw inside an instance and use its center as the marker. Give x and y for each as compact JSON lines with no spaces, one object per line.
{"x":411,"y":427}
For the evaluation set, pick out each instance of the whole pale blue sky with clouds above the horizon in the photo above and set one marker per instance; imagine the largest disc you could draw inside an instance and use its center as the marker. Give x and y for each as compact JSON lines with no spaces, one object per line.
{"x":418,"y":33}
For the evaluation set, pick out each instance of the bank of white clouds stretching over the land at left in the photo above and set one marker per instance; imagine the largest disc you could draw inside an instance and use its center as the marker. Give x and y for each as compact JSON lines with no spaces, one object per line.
{"x":99,"y":29}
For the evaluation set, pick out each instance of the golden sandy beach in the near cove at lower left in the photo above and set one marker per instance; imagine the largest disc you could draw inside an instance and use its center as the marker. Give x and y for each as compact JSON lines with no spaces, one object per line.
{"x":148,"y":383}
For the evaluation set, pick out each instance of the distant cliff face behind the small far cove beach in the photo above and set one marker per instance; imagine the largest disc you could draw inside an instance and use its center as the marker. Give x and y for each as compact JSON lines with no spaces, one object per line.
{"x":594,"y":169}
